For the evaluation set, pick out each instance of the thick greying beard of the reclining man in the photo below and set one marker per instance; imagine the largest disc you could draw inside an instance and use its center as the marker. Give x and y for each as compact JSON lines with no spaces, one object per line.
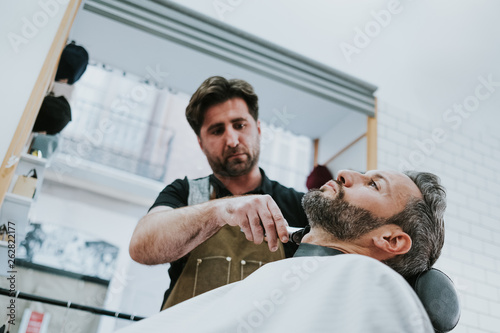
{"x":338,"y":217}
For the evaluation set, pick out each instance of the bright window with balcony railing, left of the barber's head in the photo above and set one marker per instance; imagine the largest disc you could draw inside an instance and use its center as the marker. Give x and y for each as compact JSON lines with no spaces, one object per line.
{"x":117,"y":122}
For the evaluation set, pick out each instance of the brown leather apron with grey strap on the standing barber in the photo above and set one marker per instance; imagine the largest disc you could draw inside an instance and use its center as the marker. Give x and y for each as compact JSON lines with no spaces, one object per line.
{"x":224,"y":258}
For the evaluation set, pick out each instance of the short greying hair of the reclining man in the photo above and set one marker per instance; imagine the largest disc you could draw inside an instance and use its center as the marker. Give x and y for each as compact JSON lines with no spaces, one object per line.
{"x":423,"y":221}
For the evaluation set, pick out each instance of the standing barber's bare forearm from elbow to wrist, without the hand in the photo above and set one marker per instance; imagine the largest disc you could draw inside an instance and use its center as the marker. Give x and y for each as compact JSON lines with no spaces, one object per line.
{"x":168,"y":235}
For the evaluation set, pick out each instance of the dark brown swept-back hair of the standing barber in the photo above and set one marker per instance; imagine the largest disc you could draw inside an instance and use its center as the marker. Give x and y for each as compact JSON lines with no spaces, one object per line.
{"x":216,"y":90}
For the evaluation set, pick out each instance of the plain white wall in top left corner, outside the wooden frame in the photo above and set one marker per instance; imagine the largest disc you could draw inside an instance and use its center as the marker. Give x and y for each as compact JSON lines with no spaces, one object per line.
{"x":28,"y":29}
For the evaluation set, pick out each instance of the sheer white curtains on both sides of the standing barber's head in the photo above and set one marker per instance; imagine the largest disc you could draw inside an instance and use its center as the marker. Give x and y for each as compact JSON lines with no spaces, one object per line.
{"x":132,"y":126}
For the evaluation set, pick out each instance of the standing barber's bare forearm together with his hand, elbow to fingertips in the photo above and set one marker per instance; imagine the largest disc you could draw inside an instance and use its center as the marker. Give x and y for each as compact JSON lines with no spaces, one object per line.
{"x":166,"y":236}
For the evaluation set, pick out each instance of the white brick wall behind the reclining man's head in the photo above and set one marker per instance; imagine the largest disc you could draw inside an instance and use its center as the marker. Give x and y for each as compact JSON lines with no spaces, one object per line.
{"x":469,"y":167}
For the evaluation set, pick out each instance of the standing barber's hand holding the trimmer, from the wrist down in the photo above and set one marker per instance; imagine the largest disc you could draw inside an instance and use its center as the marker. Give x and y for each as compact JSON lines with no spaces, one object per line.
{"x":256,"y":215}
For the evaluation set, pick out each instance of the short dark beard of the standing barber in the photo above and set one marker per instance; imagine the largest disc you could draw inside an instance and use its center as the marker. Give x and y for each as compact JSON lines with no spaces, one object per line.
{"x":234,"y":167}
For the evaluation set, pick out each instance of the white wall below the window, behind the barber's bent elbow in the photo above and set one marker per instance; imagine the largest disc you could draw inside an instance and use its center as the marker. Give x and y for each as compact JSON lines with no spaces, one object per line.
{"x":113,"y":221}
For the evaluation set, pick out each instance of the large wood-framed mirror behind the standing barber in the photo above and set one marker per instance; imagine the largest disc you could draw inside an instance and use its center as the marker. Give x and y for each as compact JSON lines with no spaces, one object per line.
{"x":165,"y":51}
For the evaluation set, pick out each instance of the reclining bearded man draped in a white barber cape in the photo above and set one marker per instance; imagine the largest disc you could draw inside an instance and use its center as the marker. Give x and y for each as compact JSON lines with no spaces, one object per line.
{"x":372,"y":218}
